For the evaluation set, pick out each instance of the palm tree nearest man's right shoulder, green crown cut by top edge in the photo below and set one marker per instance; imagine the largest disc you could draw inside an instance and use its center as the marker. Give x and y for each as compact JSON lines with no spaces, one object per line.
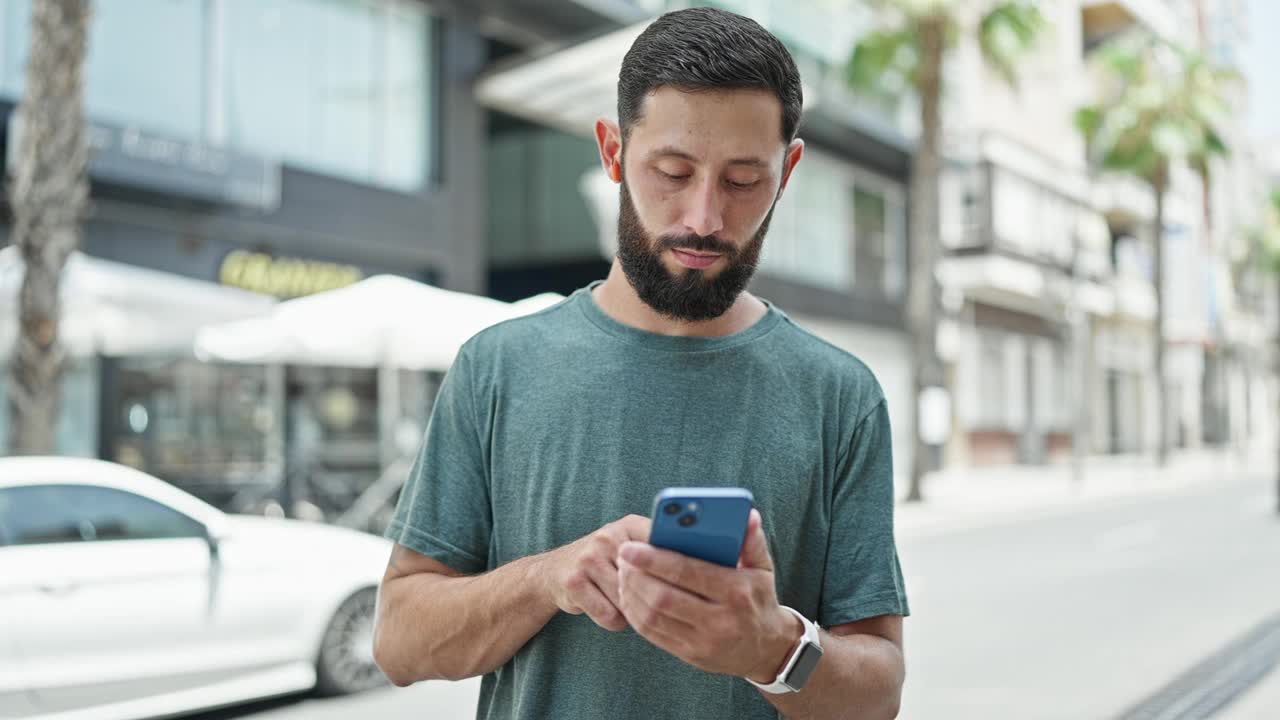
{"x":909,"y":51}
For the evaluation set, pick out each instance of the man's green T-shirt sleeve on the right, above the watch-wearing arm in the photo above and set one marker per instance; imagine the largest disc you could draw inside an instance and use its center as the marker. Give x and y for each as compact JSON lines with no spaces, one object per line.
{"x":863,"y":577}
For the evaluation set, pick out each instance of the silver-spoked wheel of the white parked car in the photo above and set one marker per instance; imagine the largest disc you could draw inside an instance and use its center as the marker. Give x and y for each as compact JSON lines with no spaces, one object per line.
{"x":346,"y":663}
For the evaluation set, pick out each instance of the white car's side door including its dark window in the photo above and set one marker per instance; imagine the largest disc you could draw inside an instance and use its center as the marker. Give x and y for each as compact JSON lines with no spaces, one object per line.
{"x":113,"y":591}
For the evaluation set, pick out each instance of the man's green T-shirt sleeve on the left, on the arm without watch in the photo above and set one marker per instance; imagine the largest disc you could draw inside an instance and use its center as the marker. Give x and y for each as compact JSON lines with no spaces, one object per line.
{"x":445,"y":511}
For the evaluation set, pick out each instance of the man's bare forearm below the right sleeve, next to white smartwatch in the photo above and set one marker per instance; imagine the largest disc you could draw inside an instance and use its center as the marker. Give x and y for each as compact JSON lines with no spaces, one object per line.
{"x":860,"y":677}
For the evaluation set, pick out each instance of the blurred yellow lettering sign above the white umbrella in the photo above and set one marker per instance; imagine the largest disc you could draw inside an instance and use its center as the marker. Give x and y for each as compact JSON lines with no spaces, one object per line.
{"x":285,"y":277}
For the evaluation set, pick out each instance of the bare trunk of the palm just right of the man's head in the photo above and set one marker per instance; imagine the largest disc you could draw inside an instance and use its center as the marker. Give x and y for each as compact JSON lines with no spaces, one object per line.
{"x":922,"y":302}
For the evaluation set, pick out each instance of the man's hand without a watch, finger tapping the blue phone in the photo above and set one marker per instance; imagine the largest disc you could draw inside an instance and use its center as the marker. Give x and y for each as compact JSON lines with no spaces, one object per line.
{"x":583,"y":577}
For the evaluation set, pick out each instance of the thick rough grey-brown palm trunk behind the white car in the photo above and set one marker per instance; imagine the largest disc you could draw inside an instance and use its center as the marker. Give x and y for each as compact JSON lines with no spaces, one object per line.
{"x":48,"y":192}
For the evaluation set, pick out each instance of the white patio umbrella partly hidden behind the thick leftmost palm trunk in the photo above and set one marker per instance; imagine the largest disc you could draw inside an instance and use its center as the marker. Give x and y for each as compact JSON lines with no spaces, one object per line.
{"x":118,"y":309}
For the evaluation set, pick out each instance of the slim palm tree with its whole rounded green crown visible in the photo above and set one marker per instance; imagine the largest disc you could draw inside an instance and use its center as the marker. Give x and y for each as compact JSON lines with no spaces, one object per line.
{"x":1163,"y":106}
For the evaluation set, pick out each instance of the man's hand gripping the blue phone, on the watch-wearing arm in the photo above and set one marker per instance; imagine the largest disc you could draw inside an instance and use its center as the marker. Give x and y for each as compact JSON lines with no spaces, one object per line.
{"x":719,"y":619}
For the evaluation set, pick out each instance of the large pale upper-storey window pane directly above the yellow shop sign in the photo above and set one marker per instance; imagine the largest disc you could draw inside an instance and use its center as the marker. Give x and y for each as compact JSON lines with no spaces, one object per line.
{"x":337,"y":86}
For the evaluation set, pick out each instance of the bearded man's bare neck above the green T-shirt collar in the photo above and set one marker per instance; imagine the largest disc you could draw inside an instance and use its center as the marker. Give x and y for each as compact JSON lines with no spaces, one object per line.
{"x":620,"y":302}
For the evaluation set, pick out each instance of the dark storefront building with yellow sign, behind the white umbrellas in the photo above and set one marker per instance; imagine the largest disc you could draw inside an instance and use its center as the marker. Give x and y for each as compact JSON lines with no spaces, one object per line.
{"x":285,"y":151}
